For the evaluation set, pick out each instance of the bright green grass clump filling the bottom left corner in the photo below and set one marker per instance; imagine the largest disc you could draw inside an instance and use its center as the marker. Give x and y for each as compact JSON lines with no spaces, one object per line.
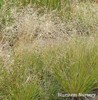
{"x":17,"y":82}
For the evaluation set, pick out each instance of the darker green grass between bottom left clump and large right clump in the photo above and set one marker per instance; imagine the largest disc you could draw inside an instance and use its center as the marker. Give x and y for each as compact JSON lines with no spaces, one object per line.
{"x":36,"y":64}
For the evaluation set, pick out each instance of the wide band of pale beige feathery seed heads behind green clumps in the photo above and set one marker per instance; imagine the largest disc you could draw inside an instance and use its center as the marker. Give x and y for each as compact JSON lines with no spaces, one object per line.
{"x":81,"y":19}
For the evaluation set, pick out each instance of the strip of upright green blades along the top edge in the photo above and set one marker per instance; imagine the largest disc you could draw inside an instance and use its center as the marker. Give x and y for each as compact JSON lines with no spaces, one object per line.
{"x":46,"y":3}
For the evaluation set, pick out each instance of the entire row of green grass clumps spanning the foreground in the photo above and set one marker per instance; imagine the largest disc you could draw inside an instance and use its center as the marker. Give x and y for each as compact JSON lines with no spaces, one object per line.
{"x":68,"y":68}
